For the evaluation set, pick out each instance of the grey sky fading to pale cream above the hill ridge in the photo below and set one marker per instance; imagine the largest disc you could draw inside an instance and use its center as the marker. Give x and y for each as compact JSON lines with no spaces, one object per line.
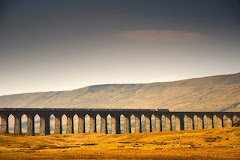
{"x":54,"y":45}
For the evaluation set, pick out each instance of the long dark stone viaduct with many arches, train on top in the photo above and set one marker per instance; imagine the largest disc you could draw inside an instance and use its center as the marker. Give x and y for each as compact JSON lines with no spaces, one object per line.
{"x":147,"y":120}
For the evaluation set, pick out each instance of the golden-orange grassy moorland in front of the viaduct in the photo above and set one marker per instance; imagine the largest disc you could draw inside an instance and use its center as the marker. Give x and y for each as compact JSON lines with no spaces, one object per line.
{"x":196,"y":144}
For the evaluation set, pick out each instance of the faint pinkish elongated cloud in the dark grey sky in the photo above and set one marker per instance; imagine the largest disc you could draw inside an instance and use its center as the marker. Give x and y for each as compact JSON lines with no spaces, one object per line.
{"x":163,"y":35}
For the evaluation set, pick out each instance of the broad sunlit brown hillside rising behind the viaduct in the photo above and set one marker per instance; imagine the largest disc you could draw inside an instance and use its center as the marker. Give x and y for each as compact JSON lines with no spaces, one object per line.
{"x":216,"y":93}
